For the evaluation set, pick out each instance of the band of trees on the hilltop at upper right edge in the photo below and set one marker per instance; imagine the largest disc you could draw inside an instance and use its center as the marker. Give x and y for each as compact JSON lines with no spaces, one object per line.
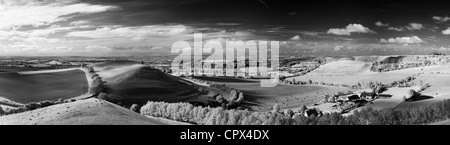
{"x":402,"y":62}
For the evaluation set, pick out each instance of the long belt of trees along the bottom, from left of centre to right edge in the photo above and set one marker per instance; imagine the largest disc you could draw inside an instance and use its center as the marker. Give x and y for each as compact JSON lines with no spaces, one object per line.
{"x":217,"y":116}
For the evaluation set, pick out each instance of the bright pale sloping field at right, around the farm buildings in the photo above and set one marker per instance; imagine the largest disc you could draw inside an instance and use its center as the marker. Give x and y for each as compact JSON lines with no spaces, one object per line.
{"x":351,"y":72}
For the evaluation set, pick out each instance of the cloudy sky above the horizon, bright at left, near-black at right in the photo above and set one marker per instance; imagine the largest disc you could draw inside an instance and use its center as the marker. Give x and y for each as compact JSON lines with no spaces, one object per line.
{"x":150,"y":27}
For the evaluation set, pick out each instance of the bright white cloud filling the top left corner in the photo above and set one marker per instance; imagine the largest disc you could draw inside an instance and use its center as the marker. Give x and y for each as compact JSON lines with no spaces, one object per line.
{"x":17,"y":13}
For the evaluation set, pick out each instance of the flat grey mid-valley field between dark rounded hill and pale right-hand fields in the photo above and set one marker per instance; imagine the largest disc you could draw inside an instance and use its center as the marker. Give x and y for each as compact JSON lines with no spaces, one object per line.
{"x":287,"y":96}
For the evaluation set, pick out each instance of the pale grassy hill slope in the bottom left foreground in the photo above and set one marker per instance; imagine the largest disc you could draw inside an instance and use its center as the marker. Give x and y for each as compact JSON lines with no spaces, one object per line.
{"x":84,"y":112}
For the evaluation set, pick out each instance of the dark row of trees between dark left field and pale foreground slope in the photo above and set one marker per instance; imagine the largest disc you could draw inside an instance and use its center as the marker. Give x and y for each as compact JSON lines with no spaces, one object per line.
{"x":30,"y":106}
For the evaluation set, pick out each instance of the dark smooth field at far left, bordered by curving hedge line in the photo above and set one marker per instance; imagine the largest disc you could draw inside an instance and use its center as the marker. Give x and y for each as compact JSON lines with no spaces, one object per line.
{"x":34,"y":87}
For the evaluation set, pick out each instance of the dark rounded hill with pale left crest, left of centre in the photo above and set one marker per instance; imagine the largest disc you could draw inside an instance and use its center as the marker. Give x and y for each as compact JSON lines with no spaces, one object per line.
{"x":138,"y":84}
